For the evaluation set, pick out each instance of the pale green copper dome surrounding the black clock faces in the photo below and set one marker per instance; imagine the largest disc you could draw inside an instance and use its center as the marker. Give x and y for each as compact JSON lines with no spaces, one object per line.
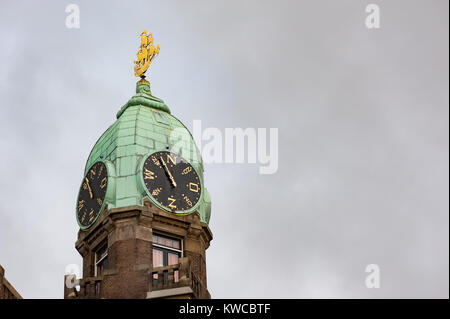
{"x":144,"y":125}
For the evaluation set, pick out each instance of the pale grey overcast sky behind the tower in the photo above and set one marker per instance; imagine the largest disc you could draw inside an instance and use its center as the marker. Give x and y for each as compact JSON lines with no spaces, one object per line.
{"x":363,"y":136}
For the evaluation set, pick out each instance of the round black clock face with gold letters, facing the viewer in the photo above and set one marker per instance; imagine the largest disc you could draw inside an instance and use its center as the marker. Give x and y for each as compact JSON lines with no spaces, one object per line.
{"x":171,"y":181}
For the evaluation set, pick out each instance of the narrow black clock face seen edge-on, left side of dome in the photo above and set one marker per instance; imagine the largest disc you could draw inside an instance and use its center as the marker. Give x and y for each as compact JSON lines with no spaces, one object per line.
{"x":92,"y":194}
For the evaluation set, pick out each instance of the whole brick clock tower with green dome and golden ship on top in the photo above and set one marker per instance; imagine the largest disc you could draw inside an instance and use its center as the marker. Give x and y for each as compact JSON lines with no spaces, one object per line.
{"x":142,"y":207}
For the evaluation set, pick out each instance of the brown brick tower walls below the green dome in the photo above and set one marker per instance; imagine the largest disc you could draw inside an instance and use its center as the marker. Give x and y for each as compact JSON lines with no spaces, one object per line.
{"x":128,"y":232}
